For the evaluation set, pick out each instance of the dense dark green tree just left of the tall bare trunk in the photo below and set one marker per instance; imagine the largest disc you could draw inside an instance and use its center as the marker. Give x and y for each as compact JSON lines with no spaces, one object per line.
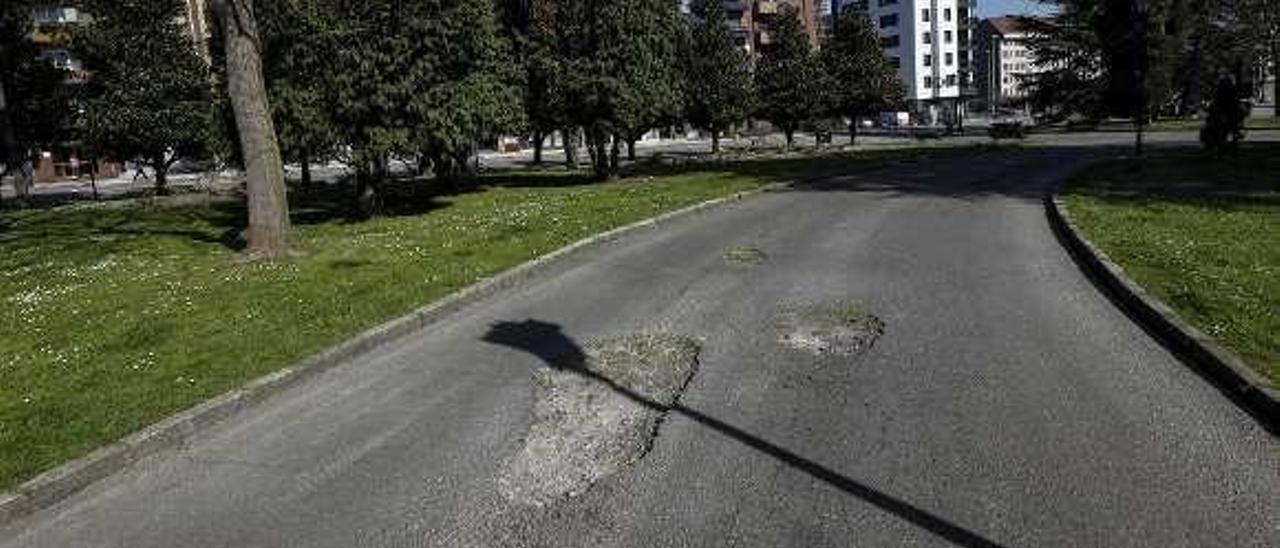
{"x":150,"y":88}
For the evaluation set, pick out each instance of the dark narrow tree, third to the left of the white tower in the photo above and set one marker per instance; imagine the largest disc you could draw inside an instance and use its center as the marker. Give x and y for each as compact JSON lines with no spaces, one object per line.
{"x":717,"y":74}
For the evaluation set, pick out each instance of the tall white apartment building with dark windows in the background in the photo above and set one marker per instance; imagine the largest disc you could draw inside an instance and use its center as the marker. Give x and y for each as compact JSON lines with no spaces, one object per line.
{"x":930,"y":43}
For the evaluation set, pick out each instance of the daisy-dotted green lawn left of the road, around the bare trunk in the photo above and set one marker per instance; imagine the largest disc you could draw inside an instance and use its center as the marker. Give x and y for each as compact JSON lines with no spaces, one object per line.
{"x":118,"y":314}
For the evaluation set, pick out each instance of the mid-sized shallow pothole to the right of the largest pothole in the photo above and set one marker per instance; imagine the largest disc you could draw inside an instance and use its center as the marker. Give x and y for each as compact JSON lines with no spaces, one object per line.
{"x":842,"y":328}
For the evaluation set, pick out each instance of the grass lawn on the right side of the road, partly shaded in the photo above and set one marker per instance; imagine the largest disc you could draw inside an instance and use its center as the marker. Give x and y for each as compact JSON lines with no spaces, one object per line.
{"x":1203,"y":234}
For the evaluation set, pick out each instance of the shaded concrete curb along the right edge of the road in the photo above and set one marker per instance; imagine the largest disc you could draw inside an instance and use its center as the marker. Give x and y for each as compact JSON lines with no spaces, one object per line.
{"x":1247,"y":387}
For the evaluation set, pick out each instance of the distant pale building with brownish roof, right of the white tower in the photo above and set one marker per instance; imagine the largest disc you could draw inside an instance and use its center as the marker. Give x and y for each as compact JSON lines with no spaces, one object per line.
{"x":1007,"y":62}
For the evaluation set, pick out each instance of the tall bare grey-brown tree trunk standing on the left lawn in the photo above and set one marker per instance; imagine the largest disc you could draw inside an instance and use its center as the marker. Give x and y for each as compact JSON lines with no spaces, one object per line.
{"x":268,"y":203}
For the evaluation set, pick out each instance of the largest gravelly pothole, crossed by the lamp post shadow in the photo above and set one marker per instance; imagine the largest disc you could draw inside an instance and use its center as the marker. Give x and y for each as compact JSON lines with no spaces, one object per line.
{"x":597,"y":414}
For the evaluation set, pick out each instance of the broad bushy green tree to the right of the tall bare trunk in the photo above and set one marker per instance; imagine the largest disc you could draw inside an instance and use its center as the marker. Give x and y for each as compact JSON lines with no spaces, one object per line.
{"x":410,"y":80}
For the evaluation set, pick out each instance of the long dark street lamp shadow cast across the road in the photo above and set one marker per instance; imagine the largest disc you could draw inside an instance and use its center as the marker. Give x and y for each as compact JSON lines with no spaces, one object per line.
{"x":550,"y":344}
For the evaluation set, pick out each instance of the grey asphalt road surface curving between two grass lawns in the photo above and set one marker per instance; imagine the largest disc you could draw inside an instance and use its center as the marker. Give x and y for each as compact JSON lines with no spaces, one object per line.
{"x":1008,"y":403}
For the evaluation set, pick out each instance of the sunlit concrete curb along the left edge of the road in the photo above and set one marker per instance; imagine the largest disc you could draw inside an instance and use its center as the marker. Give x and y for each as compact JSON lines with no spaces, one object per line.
{"x":181,"y":430}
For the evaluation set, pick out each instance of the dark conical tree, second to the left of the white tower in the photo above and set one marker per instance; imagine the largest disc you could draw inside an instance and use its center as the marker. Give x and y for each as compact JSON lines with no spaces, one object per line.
{"x":790,"y":79}
